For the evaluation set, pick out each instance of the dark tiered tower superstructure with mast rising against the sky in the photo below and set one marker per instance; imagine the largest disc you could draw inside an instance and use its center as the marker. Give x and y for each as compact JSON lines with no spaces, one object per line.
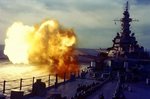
{"x":125,"y":43}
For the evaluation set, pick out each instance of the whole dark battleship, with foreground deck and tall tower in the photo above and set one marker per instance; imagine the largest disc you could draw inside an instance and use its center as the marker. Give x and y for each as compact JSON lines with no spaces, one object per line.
{"x":118,"y":72}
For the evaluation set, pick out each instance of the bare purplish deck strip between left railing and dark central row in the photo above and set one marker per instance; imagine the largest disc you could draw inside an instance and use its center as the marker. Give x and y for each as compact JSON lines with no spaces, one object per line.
{"x":67,"y":89}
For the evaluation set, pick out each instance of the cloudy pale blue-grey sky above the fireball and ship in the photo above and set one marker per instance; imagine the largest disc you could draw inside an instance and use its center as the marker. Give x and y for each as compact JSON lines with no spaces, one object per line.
{"x":92,"y":20}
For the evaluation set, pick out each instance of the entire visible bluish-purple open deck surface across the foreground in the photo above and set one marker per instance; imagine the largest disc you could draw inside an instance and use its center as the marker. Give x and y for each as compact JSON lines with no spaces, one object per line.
{"x":137,"y":90}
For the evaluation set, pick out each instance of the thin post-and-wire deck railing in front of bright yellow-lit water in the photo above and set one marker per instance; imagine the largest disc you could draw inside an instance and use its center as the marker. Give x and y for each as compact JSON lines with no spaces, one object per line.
{"x":25,"y":84}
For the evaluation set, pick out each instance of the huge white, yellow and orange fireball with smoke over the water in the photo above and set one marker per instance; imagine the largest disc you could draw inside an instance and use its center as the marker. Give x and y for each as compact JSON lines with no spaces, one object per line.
{"x":47,"y":43}
